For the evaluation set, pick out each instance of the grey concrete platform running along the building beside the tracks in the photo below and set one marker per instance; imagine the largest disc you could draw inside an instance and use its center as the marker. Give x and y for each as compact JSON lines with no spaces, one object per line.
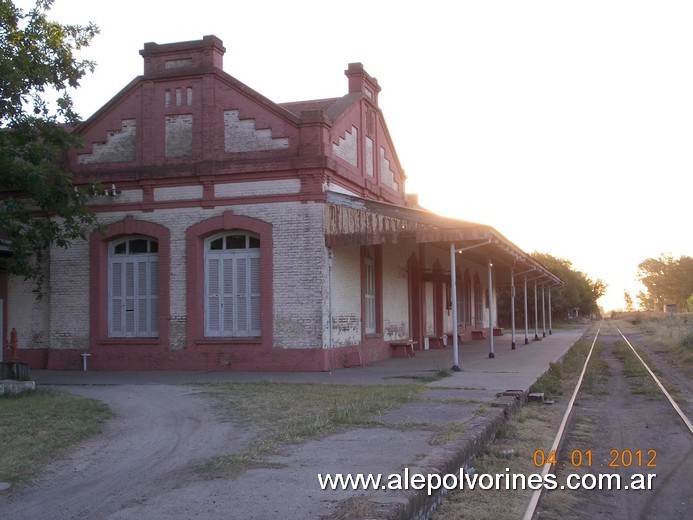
{"x":401,"y":445}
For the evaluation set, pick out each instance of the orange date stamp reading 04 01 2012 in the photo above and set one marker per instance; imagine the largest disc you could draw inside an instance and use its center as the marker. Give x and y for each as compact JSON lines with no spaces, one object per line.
{"x":585,"y":459}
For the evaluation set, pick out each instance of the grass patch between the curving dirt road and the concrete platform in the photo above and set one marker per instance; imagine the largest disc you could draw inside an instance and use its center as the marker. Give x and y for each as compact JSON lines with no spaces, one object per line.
{"x":285,"y":413}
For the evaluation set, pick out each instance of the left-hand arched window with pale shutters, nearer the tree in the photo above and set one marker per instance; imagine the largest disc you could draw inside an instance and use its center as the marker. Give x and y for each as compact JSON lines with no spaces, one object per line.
{"x":133,"y":288}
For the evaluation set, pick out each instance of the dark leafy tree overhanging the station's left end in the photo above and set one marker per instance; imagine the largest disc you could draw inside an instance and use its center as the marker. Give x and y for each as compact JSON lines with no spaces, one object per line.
{"x":40,"y":207}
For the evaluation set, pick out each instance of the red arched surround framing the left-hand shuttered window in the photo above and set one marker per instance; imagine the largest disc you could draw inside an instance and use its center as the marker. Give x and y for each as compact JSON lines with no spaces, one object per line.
{"x":98,"y":246}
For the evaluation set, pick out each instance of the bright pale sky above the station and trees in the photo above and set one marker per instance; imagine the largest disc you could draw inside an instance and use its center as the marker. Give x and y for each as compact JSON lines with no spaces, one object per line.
{"x":566,"y":125}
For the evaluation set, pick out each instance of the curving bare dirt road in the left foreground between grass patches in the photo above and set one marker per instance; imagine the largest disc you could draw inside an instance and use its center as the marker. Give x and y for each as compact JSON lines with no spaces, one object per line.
{"x":142,"y":458}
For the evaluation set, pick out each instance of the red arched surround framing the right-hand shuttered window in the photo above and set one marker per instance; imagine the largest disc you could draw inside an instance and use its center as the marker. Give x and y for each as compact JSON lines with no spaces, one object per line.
{"x":195,"y":282}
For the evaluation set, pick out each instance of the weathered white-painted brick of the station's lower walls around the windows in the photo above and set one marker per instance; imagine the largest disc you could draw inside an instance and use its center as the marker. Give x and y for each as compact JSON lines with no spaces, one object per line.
{"x":300,"y":282}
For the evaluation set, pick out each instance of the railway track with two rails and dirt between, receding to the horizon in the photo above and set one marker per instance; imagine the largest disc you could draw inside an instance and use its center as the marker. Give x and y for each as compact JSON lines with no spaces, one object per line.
{"x":628,"y":446}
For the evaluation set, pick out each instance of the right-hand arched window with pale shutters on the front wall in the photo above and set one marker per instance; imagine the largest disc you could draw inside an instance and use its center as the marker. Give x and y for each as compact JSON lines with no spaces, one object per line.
{"x":232,"y":285}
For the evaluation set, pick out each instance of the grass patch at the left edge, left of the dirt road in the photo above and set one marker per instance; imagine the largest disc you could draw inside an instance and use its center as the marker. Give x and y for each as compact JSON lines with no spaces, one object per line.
{"x":39,"y":426}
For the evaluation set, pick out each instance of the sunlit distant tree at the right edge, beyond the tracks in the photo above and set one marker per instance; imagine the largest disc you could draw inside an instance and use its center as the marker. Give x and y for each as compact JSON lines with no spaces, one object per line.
{"x":667,"y":280}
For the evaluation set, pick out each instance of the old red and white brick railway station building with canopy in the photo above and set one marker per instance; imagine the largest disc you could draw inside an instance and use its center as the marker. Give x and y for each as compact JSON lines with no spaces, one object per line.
{"x":243,"y":234}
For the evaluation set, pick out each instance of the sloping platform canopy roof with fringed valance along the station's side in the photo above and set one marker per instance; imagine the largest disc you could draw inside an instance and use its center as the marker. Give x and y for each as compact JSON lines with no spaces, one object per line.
{"x":356,"y":221}
